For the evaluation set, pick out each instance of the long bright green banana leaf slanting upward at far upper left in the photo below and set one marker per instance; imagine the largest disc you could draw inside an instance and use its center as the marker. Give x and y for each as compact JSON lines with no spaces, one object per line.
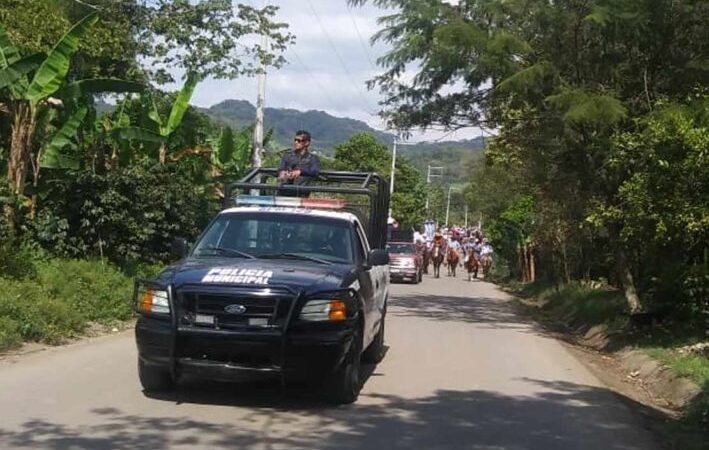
{"x":53,"y":71}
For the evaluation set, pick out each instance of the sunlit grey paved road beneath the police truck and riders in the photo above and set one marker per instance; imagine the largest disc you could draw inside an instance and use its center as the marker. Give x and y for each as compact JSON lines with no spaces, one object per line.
{"x":462,"y":372}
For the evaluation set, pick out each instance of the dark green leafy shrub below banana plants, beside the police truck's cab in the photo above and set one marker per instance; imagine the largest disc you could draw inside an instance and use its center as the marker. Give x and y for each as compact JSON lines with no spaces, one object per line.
{"x":132,"y":214}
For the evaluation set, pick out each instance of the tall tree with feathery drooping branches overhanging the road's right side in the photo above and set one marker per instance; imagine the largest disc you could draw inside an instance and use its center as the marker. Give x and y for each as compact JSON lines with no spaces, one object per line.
{"x":561,"y":82}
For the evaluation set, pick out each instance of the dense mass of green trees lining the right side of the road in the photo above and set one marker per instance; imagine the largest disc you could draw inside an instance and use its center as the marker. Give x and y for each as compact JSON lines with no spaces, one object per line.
{"x":599,"y":166}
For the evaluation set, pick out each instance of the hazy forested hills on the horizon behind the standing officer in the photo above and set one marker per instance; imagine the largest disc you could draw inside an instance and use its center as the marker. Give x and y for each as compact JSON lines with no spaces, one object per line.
{"x":329,"y":130}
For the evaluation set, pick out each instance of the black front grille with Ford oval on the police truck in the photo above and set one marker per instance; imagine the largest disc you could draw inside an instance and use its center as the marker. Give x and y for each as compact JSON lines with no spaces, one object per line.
{"x":230,"y":311}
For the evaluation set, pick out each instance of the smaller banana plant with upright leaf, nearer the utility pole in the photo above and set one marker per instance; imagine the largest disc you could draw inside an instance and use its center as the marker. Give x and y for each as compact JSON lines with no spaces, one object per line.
{"x":160,"y":130}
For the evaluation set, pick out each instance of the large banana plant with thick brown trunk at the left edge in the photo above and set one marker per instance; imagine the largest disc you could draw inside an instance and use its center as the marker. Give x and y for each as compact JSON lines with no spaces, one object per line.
{"x":31,"y":86}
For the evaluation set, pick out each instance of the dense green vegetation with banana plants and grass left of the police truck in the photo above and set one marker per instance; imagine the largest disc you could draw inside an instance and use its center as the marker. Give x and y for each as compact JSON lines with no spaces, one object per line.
{"x":92,"y":194}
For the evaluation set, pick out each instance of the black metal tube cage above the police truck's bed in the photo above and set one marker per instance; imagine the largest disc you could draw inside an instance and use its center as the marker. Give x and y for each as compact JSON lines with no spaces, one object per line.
{"x":369,"y":184}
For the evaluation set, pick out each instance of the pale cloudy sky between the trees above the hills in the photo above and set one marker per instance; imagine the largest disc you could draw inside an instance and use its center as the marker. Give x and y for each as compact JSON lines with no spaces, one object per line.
{"x":328,"y":65}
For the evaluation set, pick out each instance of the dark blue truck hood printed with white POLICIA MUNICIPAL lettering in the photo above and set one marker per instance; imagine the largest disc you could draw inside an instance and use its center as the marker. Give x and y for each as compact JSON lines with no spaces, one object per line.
{"x":298,"y":275}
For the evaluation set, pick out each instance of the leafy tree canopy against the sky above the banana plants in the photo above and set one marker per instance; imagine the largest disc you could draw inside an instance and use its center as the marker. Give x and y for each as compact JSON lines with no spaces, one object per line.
{"x":156,"y":40}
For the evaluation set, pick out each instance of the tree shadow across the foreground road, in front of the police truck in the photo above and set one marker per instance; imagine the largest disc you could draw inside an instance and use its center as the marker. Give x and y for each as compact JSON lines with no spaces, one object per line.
{"x":559,"y":416}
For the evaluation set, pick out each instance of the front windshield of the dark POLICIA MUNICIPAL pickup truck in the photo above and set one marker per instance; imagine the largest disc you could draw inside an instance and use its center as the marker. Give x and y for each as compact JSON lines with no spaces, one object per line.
{"x":269,"y":235}
